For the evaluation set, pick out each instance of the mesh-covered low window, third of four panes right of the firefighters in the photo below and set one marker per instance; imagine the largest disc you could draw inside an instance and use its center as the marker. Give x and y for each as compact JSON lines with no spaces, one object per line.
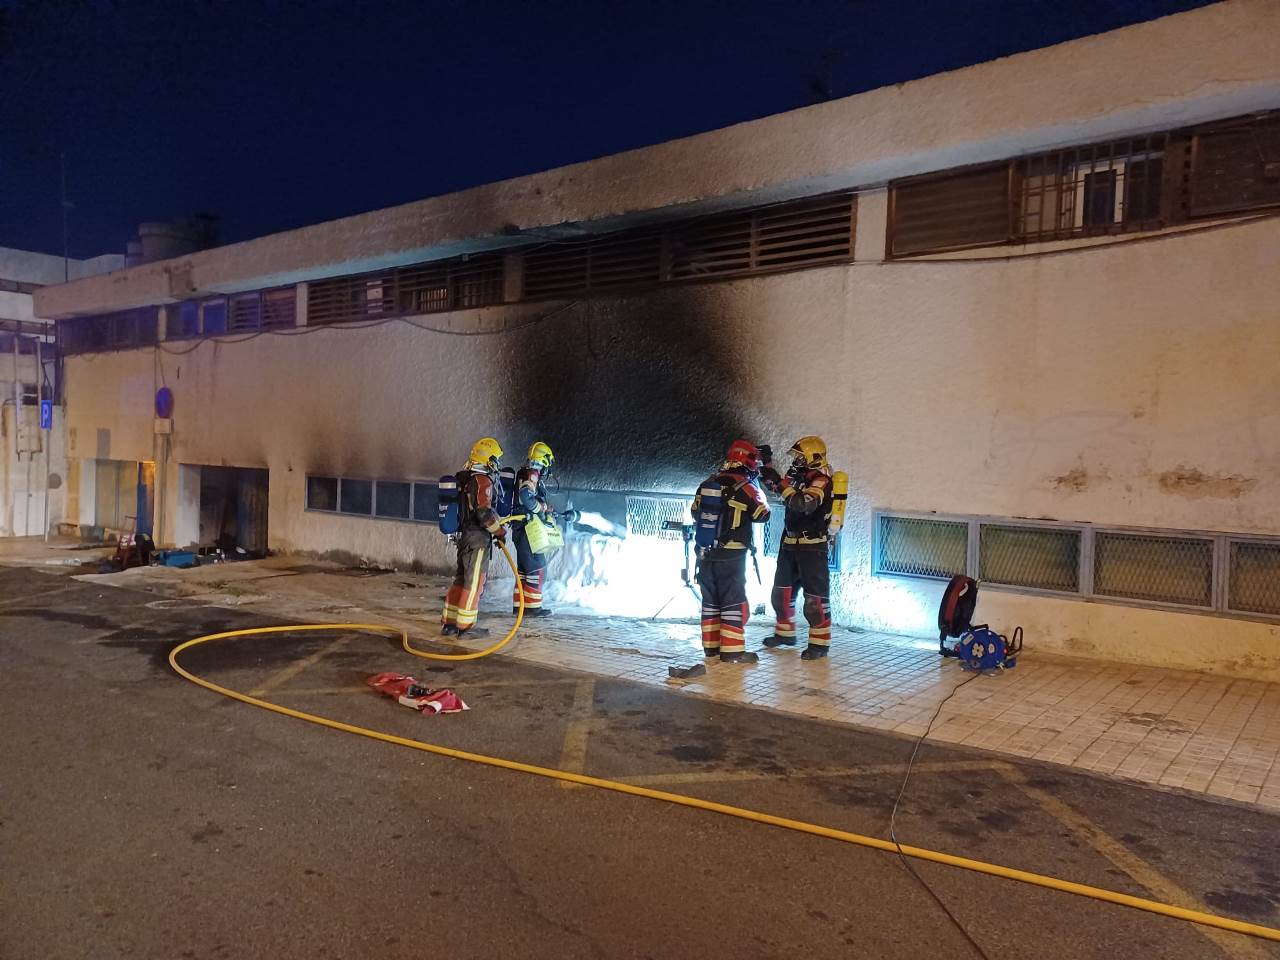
{"x":1151,"y":568}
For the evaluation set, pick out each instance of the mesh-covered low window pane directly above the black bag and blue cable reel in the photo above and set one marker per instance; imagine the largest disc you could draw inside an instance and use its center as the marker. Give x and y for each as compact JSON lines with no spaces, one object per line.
{"x":1041,"y":559}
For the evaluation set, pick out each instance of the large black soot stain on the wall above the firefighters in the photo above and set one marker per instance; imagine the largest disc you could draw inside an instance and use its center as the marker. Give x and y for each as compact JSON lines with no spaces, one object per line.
{"x":643,"y":394}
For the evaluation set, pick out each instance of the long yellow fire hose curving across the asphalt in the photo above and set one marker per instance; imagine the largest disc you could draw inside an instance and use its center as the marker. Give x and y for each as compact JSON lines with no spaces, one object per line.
{"x":683,"y":801}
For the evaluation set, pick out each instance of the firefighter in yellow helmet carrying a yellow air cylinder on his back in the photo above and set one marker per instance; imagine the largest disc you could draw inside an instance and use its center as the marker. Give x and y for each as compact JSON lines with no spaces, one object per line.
{"x":808,"y":495}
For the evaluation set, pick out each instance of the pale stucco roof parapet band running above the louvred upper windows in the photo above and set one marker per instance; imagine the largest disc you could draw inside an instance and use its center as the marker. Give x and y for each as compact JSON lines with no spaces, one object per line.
{"x":1204,"y":65}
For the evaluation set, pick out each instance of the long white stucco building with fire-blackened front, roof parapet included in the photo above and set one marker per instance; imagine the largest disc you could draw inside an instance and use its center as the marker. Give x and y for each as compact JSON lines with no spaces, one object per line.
{"x":1031,"y":307}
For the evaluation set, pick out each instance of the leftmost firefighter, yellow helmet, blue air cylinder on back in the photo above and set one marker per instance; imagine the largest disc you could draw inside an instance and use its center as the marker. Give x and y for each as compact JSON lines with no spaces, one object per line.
{"x":479,"y":525}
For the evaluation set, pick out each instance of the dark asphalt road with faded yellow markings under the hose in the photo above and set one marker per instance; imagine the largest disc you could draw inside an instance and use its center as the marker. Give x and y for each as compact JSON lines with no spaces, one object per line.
{"x":144,"y":817}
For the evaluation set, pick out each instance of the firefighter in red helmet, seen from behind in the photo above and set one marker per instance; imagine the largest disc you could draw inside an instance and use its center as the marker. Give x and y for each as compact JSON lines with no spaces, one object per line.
{"x":723,"y":572}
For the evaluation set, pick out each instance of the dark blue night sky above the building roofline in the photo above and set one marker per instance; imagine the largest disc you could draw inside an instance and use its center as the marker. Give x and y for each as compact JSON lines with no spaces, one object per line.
{"x":277,"y":115}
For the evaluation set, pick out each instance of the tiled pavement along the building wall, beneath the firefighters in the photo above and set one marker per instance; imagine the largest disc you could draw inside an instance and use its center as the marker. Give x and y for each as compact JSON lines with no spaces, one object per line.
{"x":1180,"y":730}
